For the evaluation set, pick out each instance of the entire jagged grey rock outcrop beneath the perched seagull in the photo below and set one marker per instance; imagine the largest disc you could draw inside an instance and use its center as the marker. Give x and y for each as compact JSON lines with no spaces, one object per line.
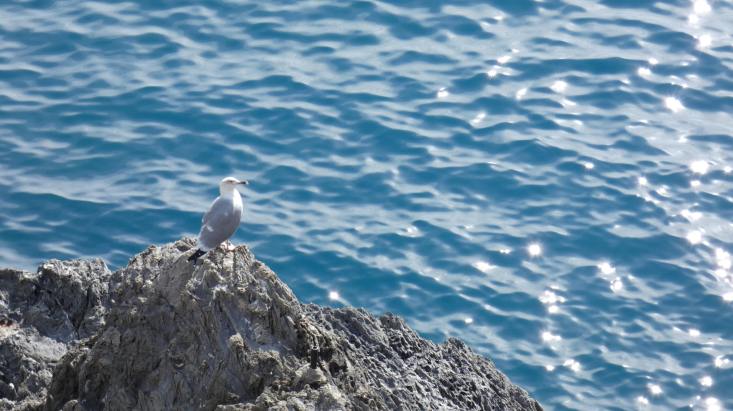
{"x":227,"y":334}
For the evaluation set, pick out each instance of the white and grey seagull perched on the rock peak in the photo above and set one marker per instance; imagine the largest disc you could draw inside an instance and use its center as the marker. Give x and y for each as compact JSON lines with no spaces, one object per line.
{"x":222,"y":219}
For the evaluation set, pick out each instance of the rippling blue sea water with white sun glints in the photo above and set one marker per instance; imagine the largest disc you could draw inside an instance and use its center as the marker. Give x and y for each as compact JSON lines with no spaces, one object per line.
{"x":549,"y":181}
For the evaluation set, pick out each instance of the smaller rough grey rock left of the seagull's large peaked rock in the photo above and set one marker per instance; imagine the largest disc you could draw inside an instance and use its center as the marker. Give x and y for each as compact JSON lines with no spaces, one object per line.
{"x":40,"y":315}
